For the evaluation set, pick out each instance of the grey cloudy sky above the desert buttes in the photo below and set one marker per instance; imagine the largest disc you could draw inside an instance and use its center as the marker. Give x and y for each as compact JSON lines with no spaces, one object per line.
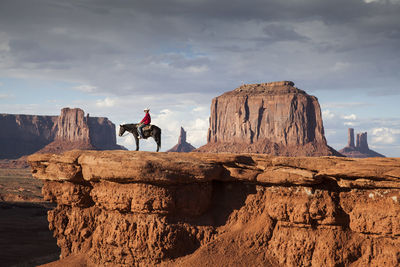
{"x":114,"y":58}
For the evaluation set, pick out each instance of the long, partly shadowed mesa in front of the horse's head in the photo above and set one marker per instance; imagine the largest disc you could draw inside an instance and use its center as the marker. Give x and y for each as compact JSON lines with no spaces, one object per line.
{"x":26,"y":134}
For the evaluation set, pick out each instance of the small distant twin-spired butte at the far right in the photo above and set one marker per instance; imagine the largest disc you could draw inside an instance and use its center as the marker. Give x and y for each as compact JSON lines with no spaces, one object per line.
{"x":361,"y":149}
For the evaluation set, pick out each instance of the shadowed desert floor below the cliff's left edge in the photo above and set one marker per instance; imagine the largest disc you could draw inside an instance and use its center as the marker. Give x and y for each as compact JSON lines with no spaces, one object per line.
{"x":25,"y":239}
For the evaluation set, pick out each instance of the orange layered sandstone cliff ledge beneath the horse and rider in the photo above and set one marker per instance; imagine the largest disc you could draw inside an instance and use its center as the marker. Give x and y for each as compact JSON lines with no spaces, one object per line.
{"x":125,"y":208}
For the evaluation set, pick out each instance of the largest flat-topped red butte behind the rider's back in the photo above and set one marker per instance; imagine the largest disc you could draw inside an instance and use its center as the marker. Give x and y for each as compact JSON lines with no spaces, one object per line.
{"x":274,"y":118}
